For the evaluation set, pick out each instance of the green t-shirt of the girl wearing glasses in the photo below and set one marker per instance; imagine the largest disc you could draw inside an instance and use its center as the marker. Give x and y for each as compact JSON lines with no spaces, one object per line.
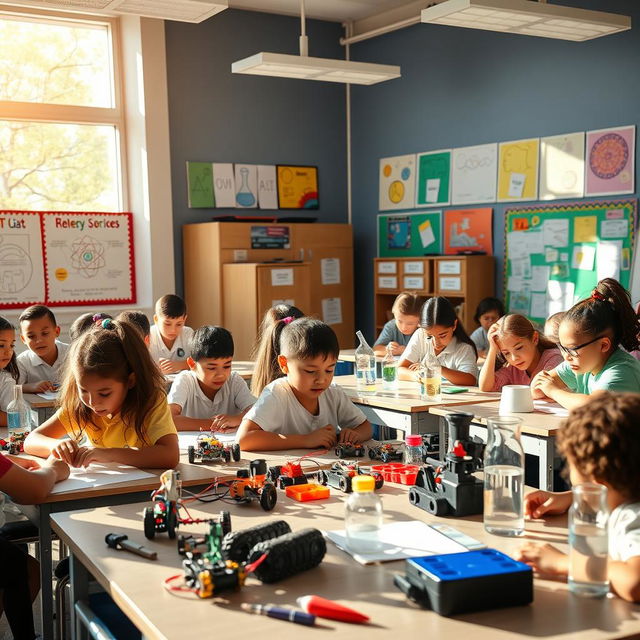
{"x":621,"y":372}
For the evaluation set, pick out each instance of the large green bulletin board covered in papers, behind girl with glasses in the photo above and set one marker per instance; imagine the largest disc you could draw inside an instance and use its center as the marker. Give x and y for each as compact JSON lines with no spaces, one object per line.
{"x":555,"y":254}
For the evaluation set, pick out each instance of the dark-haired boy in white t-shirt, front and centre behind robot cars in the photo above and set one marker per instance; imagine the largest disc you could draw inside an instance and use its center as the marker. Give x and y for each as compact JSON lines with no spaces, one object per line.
{"x":304,"y":410}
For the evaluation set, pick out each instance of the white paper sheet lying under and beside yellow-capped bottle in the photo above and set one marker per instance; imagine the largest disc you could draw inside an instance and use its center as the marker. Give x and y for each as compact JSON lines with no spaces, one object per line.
{"x":401,"y":540}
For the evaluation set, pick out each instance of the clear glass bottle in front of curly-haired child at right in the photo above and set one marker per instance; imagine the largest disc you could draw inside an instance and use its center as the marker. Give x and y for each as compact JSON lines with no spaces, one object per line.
{"x":588,"y":541}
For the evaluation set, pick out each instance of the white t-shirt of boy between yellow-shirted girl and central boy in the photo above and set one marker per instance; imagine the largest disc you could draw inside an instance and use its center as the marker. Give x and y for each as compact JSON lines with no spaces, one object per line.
{"x":232,"y":398}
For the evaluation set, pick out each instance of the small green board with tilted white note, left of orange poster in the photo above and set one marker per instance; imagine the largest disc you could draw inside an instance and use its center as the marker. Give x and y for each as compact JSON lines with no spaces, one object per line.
{"x":409,"y":234}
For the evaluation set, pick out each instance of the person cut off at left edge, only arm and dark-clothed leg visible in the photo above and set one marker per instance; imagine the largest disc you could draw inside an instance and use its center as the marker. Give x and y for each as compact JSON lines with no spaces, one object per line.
{"x":27,"y":482}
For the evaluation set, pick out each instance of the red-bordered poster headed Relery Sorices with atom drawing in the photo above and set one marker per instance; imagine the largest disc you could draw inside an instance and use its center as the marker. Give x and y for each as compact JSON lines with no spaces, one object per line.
{"x":88,"y":258}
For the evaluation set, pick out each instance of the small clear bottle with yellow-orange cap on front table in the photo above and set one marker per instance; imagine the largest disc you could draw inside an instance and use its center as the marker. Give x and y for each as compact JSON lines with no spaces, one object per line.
{"x":363,"y":516}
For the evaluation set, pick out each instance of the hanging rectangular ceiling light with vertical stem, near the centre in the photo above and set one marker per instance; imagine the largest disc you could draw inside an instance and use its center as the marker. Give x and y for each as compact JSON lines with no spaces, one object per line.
{"x":304,"y":67}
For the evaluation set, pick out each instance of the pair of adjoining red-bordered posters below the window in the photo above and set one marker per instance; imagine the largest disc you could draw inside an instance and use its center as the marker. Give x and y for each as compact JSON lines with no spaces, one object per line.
{"x":66,"y":258}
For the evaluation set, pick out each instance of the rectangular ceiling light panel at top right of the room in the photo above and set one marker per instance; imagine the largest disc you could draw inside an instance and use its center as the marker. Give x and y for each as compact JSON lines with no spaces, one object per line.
{"x":527,"y":17}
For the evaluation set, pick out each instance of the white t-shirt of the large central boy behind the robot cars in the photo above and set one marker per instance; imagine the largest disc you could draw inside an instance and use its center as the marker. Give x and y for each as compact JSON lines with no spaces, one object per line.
{"x":278,"y":410}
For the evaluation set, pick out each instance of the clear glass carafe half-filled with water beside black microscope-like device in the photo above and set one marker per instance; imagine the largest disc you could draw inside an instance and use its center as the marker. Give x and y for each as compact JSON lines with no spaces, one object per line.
{"x":504,"y":477}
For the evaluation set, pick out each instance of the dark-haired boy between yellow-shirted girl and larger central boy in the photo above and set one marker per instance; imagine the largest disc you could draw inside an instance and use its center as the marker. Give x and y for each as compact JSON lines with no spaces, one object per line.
{"x":210,"y":396}
